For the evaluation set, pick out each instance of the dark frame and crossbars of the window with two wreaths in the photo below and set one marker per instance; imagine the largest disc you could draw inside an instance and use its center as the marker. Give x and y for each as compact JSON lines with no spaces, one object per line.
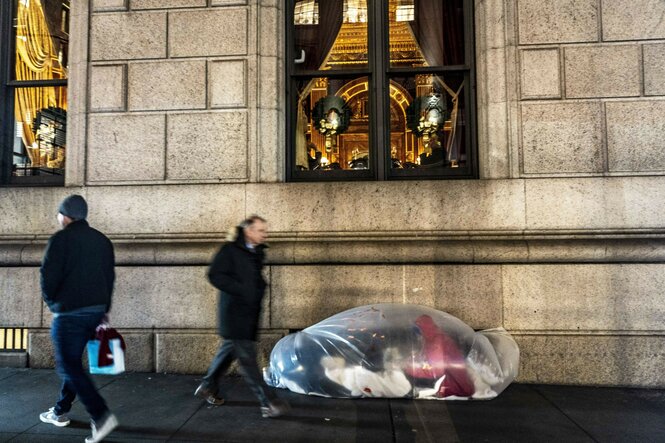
{"x":379,"y":73}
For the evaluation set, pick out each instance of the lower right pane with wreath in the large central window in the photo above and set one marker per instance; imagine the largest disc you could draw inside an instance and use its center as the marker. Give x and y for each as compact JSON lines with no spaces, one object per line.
{"x":427,"y":122}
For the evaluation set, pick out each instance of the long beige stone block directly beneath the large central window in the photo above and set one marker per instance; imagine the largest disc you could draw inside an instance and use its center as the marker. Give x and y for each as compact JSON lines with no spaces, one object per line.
{"x":424,"y":206}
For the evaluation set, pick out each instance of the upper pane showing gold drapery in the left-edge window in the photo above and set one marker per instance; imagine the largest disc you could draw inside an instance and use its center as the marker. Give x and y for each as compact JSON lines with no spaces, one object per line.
{"x":42,"y":39}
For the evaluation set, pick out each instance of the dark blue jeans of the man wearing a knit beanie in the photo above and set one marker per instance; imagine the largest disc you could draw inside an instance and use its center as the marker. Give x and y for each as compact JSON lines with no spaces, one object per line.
{"x":70,"y":334}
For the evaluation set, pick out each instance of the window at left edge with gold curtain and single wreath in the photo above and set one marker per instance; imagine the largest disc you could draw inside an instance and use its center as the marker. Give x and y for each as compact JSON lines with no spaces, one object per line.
{"x":35,"y":42}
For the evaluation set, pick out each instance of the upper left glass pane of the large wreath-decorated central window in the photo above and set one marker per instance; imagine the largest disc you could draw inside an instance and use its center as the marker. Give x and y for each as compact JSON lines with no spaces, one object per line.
{"x":330,"y":34}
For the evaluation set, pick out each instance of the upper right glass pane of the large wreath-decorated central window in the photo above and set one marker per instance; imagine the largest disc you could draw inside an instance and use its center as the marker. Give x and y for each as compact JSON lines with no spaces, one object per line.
{"x":426,"y":32}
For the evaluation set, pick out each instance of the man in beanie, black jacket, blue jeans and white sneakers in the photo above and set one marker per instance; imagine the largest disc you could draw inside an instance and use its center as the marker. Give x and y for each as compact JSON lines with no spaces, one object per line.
{"x":77,"y":276}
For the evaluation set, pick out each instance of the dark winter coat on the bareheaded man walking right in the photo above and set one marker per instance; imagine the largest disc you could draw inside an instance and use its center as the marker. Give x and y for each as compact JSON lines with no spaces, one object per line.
{"x":236,"y":272}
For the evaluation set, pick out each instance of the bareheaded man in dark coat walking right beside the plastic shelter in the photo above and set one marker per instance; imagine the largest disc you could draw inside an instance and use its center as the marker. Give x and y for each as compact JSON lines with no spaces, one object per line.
{"x":236,"y":272}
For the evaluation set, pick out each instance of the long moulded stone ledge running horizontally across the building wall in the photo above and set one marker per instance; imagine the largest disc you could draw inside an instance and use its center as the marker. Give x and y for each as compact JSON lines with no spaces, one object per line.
{"x":535,"y":247}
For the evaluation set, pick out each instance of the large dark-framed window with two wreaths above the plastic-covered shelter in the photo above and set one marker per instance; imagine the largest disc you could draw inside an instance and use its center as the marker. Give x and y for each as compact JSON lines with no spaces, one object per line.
{"x":380,"y":90}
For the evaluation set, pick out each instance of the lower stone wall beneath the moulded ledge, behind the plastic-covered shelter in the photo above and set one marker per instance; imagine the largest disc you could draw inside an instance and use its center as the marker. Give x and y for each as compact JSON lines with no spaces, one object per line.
{"x":580,"y":324}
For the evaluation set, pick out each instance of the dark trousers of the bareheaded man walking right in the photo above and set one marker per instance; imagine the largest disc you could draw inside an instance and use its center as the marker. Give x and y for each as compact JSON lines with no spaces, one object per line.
{"x":245,"y":352}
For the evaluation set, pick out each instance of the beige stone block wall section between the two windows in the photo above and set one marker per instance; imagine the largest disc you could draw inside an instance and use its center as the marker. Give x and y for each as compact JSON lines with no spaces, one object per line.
{"x":175,"y":94}
